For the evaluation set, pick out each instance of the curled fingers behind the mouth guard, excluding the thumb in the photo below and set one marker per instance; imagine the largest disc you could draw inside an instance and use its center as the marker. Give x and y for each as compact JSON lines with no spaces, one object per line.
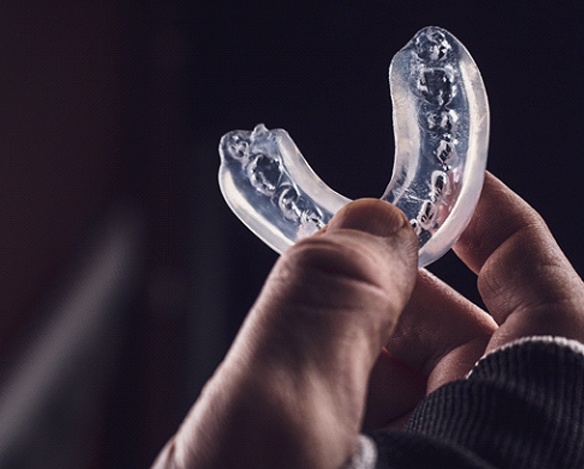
{"x":525,"y":281}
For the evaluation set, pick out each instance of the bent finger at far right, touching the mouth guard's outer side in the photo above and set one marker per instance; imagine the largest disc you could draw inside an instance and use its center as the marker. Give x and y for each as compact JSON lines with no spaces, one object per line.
{"x":524,"y":279}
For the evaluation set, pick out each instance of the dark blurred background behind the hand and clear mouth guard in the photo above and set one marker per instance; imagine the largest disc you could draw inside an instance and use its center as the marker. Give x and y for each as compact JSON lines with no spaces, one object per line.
{"x":124,"y":276}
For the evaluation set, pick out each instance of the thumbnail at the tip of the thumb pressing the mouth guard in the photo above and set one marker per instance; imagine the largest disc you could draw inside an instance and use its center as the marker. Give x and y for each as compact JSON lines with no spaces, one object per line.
{"x":373,"y":216}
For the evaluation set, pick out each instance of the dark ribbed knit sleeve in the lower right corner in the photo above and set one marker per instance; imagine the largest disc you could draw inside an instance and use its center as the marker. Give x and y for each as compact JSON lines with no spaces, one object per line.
{"x":522,"y":406}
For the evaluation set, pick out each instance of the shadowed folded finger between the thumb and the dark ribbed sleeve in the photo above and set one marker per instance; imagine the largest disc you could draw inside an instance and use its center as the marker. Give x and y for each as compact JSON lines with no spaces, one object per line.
{"x":439,"y":337}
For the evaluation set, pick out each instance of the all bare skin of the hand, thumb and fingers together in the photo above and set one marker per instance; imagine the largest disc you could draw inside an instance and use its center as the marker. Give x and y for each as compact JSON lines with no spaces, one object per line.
{"x":305,"y":373}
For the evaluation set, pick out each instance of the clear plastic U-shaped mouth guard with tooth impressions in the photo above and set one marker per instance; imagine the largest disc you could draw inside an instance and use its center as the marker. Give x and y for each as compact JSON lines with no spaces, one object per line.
{"x":441,"y":131}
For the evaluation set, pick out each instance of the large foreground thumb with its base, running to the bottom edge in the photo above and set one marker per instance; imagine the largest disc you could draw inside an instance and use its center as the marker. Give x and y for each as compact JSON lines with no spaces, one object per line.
{"x":291,"y":391}
